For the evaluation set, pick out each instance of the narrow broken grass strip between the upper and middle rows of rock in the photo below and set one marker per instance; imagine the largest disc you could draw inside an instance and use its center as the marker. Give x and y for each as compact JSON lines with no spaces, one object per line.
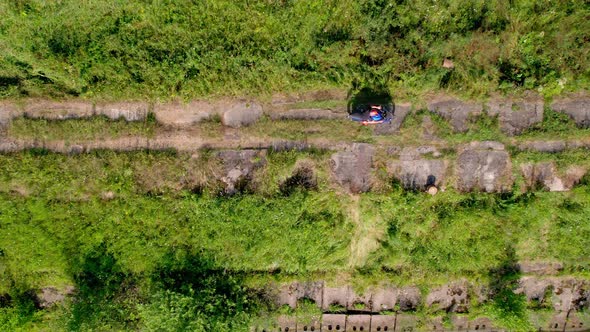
{"x":555,"y":126}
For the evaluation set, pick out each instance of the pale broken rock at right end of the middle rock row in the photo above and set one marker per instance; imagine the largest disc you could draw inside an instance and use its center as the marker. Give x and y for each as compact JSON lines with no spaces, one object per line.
{"x":545,"y":176}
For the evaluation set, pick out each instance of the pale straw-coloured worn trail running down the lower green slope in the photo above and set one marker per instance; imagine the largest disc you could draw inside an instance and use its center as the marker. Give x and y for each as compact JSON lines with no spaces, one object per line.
{"x":368,"y":230}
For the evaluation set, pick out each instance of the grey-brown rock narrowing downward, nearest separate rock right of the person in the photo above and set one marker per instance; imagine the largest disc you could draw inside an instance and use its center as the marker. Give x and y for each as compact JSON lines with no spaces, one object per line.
{"x":457,"y":112}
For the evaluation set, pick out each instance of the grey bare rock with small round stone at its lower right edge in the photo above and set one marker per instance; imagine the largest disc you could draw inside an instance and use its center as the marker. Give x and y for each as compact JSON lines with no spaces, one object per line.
{"x":417,"y":173}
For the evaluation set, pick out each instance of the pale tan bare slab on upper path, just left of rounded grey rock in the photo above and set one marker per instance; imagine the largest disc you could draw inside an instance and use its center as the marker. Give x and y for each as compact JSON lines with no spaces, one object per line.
{"x":184,"y":115}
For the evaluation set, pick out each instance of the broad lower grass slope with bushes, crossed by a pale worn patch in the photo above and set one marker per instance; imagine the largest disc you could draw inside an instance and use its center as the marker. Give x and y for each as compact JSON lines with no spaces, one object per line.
{"x":151,"y":245}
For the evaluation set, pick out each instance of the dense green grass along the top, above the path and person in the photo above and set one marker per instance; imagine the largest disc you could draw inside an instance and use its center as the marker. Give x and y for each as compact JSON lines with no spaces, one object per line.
{"x":165,"y":50}
